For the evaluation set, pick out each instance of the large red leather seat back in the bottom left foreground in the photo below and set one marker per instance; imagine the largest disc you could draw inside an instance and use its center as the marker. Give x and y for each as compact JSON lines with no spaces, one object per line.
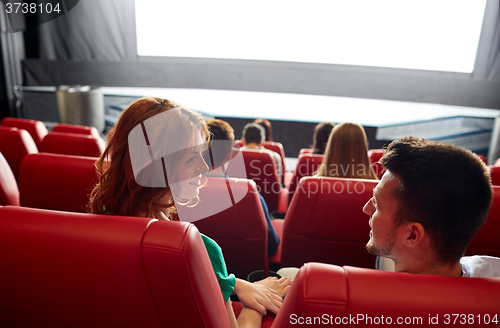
{"x":62,"y":269}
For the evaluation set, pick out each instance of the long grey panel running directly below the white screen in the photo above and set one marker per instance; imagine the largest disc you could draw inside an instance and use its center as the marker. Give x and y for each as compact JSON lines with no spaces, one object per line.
{"x":332,"y":80}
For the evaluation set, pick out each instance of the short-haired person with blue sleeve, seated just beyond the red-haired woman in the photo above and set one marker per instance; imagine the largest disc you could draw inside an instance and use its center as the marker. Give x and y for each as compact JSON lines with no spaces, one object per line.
{"x":221,"y":130}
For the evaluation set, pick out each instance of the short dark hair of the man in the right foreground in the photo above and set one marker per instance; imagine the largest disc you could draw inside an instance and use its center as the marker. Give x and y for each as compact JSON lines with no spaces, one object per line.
{"x":444,"y":187}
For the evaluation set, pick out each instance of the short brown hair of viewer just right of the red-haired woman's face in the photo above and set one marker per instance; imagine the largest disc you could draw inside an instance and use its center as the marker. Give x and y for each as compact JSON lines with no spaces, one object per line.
{"x":221,"y":141}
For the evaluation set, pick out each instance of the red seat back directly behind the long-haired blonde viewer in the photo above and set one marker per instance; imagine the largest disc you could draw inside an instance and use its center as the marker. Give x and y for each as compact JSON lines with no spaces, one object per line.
{"x":325,"y":223}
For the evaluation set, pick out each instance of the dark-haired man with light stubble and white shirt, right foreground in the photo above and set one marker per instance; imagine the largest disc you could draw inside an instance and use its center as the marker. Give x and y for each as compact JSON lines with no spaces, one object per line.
{"x":430,"y":203}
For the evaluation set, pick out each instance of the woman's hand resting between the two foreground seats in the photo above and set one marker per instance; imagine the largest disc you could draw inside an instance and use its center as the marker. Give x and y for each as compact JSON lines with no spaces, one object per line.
{"x":257,"y":296}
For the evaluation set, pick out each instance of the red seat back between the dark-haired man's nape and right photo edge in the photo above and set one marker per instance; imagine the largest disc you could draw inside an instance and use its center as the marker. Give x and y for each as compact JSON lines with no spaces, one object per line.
{"x":486,"y":241}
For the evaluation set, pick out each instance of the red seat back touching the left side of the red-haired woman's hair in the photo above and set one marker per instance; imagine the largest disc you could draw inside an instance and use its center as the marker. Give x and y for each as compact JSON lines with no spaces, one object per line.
{"x":57,"y":182}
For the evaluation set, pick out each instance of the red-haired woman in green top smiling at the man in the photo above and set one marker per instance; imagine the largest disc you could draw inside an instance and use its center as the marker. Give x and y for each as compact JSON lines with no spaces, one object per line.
{"x":152,"y":164}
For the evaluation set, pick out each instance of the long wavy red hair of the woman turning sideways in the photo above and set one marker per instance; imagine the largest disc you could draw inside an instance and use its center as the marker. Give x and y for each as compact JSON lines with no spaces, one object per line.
{"x":117,"y":192}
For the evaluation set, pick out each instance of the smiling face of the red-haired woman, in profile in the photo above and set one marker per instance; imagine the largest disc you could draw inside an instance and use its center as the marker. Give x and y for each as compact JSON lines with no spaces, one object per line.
{"x":189,"y":170}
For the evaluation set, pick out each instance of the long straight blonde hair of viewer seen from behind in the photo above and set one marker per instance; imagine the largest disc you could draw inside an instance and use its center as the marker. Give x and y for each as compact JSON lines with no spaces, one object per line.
{"x":346,"y":154}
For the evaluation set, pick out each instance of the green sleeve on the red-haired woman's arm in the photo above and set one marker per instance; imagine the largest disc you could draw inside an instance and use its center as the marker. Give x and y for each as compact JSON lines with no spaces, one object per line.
{"x":226,"y":281}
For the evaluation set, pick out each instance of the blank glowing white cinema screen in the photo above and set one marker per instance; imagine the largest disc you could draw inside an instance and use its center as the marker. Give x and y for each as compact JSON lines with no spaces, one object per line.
{"x":429,"y":35}
